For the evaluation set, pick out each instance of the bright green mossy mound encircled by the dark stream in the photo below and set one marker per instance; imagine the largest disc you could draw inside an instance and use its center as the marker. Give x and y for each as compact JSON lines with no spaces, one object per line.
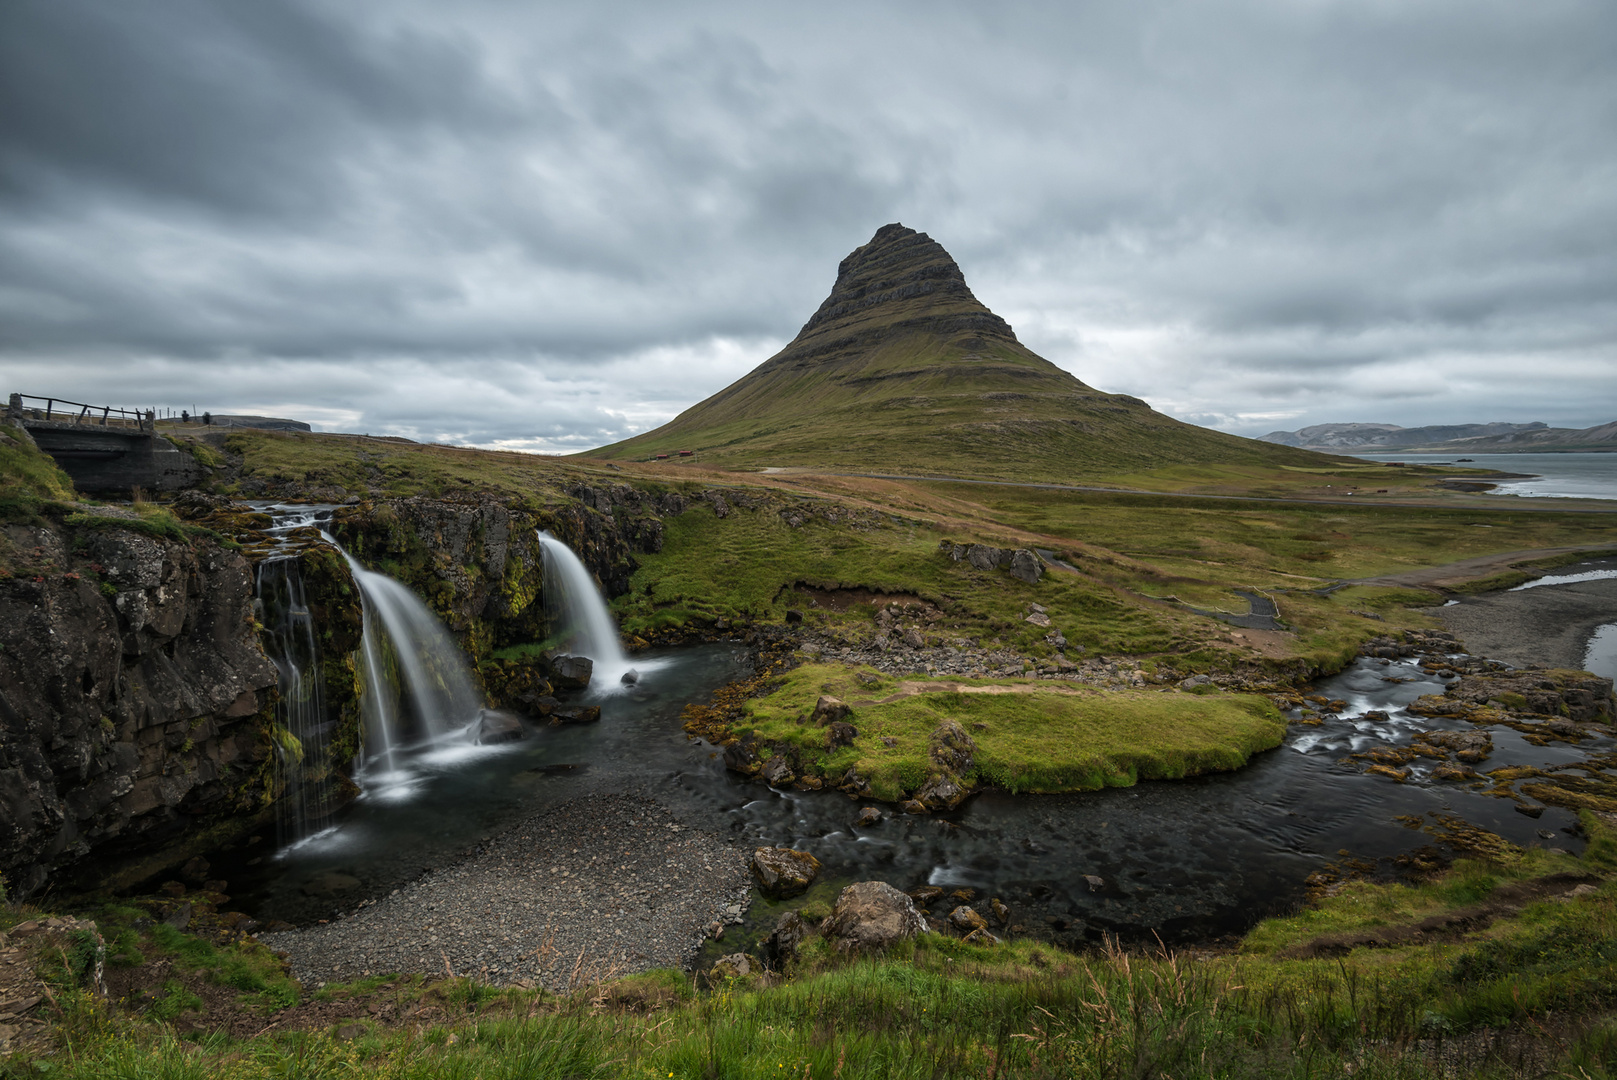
{"x":1029,"y":738}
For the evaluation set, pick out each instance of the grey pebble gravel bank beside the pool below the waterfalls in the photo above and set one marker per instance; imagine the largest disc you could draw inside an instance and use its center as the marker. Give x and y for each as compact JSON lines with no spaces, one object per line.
{"x":597,"y":888}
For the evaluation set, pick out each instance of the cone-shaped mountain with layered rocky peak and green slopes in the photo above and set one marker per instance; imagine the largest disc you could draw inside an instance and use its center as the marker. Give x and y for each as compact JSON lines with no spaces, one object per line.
{"x":905,"y":371}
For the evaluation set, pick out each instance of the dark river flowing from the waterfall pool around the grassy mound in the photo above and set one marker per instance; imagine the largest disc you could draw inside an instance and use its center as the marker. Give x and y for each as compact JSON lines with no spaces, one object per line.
{"x":1191,"y":859}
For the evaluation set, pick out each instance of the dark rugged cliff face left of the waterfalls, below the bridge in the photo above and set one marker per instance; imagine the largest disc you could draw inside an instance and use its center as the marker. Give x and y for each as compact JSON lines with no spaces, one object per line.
{"x":135,"y":696}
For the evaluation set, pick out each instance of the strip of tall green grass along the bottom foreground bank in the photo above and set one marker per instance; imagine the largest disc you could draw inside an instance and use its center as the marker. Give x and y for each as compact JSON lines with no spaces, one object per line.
{"x":1524,"y":985}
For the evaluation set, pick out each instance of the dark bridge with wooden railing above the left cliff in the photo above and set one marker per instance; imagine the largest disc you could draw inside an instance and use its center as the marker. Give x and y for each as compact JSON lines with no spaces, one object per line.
{"x":104,"y":450}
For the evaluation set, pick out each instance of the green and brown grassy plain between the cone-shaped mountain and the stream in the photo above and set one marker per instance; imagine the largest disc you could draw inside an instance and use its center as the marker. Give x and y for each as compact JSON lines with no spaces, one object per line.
{"x":1139,"y":559}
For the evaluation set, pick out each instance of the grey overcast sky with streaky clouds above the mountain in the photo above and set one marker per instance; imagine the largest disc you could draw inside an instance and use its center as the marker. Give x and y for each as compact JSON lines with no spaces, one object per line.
{"x":551,"y":227}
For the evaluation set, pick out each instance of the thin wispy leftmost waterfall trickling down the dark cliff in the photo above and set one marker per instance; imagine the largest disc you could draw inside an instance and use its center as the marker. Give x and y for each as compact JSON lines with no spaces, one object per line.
{"x":302,"y":727}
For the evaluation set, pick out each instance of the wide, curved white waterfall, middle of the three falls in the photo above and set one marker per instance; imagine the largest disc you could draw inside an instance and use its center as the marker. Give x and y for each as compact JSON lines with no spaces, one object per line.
{"x":416,"y":683}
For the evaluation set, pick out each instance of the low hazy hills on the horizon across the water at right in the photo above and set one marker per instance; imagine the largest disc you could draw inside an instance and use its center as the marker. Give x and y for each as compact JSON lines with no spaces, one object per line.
{"x":1446,"y":437}
